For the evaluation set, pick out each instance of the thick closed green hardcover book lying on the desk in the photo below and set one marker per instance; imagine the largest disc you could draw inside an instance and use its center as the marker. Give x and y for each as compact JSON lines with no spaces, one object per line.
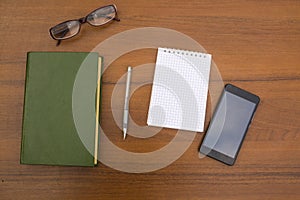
{"x":61,"y":108}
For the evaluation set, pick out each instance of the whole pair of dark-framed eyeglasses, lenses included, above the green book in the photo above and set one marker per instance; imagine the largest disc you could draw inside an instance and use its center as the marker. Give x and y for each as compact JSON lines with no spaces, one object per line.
{"x":70,"y":28}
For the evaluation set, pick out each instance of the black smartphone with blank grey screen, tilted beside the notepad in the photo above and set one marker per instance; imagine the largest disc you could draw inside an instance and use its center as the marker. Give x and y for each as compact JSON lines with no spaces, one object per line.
{"x":229,"y":124}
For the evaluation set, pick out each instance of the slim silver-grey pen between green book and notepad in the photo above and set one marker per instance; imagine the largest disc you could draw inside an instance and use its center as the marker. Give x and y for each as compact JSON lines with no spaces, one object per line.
{"x":126,"y":104}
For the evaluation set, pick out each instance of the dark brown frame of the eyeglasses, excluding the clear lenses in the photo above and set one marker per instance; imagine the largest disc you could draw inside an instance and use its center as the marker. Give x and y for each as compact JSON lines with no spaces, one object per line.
{"x":83,"y":20}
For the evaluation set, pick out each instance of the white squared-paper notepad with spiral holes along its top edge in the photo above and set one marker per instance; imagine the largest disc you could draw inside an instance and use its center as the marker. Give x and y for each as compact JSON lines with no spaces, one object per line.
{"x":179,"y":91}
